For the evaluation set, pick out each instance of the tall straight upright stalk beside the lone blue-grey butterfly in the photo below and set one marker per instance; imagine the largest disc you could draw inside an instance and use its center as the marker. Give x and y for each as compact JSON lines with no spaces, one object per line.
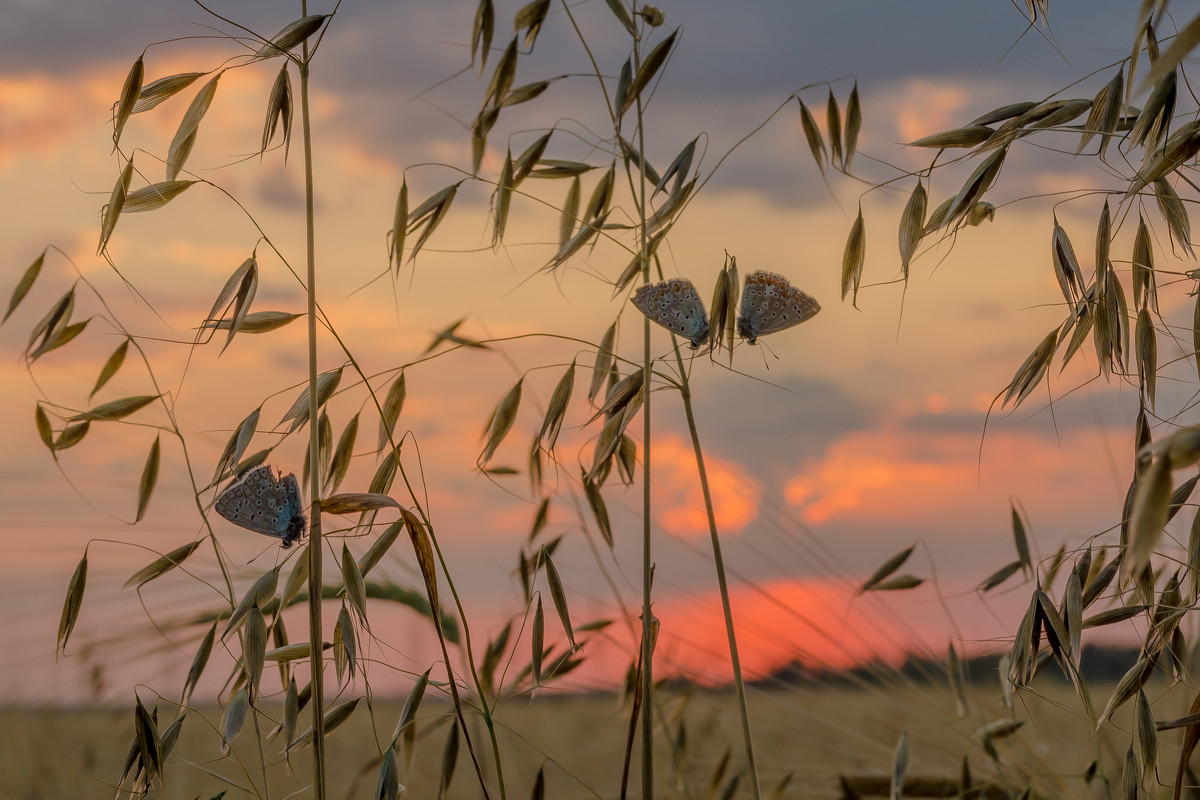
{"x":315,"y":539}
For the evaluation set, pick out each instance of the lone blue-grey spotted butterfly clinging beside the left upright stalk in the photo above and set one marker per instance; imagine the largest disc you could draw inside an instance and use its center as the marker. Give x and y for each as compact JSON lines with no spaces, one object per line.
{"x":266,"y":503}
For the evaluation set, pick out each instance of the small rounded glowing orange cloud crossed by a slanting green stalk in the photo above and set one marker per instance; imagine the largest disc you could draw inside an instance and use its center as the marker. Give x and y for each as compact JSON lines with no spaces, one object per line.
{"x":679,"y":498}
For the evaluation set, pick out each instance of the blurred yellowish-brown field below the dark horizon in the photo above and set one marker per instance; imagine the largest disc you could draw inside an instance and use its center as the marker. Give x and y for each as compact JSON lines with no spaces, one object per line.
{"x":814,"y":733}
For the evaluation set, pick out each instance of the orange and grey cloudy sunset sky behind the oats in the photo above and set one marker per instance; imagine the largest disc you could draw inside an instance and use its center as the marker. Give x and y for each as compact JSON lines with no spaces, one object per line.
{"x":842,"y":442}
